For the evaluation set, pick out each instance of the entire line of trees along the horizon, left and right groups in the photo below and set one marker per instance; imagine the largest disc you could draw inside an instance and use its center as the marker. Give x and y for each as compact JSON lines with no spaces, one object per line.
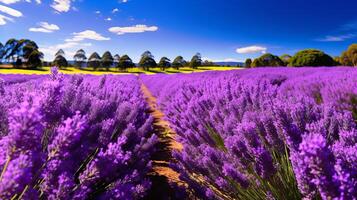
{"x":25,"y":53}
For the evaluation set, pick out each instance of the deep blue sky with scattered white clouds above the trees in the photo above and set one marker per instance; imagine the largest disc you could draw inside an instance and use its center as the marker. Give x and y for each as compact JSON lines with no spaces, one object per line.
{"x":229,"y":30}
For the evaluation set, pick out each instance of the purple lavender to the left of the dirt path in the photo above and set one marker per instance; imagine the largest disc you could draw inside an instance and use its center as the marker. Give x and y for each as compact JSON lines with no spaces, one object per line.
{"x":74,"y":137}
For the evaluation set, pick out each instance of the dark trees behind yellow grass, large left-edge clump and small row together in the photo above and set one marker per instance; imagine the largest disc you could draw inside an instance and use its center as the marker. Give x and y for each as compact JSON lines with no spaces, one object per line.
{"x":25,"y":53}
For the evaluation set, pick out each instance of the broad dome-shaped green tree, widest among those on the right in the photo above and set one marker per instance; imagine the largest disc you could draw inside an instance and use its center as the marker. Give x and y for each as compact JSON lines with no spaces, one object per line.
{"x":312,"y":58}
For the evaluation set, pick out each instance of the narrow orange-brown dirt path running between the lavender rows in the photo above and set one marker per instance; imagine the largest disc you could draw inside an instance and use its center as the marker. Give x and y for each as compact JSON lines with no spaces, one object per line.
{"x":162,"y":174}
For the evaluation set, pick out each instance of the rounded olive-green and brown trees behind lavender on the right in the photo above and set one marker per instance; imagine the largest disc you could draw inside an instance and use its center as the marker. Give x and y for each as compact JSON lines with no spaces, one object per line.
{"x":308,"y":57}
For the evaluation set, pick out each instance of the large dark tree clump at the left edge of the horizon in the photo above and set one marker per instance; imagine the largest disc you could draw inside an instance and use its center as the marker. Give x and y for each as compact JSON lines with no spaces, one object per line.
{"x":21,"y":53}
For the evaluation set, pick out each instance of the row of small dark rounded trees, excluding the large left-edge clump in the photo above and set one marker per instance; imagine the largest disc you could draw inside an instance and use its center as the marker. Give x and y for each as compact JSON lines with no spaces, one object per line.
{"x":124,"y":62}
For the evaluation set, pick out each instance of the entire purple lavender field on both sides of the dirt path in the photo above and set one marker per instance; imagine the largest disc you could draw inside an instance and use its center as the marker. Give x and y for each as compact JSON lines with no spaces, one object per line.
{"x":262,"y":133}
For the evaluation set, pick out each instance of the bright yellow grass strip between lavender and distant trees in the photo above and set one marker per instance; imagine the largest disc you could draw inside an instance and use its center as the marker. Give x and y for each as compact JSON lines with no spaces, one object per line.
{"x":46,"y":70}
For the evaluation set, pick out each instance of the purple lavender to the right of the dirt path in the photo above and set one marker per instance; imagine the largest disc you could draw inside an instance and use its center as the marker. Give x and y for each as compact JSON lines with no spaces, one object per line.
{"x":264,"y":133}
